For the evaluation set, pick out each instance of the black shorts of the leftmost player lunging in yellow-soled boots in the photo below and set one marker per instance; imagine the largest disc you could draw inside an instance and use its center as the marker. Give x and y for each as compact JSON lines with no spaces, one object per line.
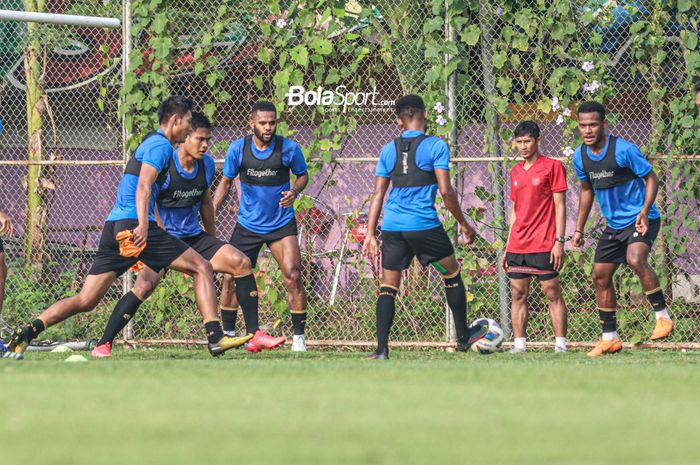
{"x":161,"y":249}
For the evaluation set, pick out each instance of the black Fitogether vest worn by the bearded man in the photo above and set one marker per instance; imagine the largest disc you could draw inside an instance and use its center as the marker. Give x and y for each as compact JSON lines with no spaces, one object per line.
{"x":268,"y":172}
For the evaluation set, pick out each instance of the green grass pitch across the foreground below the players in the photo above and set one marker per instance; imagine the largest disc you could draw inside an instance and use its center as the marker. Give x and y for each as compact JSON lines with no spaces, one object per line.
{"x":179,"y":406}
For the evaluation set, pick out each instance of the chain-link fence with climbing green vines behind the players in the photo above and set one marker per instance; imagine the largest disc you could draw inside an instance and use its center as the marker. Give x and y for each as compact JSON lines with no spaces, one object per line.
{"x":59,"y":201}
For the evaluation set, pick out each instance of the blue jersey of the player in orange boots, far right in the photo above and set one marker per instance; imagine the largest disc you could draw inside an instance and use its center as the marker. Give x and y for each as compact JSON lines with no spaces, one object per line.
{"x":621,"y":204}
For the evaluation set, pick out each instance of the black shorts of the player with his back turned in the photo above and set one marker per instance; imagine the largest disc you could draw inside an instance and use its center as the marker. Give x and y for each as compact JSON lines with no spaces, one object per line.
{"x":399,"y":247}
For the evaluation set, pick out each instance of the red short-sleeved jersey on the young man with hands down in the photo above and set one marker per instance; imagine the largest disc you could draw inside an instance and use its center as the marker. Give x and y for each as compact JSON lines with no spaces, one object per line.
{"x":532,"y":192}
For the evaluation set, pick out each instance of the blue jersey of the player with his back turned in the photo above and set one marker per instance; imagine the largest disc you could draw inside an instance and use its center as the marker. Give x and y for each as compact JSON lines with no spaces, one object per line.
{"x":413,"y":208}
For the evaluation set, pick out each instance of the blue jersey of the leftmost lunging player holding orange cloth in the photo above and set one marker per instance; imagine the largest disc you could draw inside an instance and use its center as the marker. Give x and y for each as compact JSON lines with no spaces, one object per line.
{"x":155,"y":151}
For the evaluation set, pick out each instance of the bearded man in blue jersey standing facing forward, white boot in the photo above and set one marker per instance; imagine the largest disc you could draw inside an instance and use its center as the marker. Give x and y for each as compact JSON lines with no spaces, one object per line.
{"x":263,"y":161}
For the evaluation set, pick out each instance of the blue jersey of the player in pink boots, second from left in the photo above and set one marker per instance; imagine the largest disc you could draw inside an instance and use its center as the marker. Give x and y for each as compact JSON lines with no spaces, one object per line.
{"x":184,"y":221}
